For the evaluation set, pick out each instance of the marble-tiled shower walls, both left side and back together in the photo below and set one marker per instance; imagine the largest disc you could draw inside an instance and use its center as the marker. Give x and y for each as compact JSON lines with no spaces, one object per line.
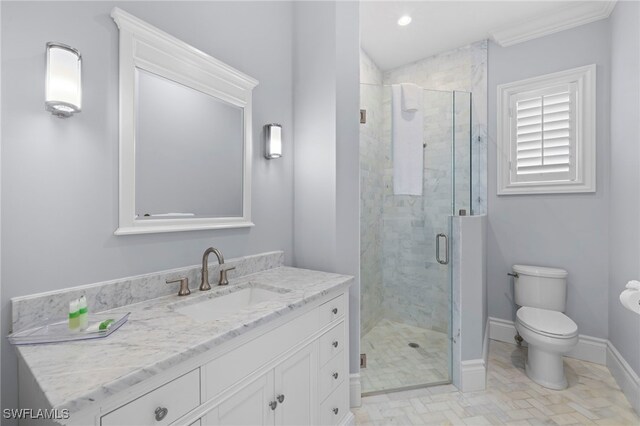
{"x":415,"y":288}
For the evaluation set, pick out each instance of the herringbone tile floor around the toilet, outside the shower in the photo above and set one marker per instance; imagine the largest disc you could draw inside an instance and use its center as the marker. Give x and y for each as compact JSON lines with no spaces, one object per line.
{"x":511,"y":398}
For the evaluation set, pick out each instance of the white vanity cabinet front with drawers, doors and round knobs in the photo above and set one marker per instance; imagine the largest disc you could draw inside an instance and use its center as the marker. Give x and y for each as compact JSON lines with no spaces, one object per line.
{"x":291,"y":371}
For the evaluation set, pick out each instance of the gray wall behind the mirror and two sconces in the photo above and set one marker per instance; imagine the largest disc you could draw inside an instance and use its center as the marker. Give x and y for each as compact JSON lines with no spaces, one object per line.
{"x":60,"y":177}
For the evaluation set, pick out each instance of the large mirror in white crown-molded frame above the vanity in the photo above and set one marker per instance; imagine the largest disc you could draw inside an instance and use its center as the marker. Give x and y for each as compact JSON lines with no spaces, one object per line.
{"x":185,"y":135}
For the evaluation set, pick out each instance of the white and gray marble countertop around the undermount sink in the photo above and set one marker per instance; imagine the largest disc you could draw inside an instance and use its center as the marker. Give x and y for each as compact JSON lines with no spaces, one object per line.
{"x":75,"y":375}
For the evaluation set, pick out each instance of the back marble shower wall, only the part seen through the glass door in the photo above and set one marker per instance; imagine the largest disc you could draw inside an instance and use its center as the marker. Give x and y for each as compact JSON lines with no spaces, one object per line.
{"x":416,"y":286}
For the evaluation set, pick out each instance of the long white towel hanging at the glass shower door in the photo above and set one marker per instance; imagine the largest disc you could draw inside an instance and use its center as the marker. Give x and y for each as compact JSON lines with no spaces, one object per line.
{"x":407,"y":147}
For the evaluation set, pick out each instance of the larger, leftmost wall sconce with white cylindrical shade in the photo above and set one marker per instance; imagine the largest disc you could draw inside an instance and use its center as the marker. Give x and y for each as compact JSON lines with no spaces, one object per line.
{"x":63,"y":85}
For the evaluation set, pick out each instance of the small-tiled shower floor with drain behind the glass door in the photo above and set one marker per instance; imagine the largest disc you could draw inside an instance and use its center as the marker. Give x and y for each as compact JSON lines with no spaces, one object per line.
{"x":393,"y":364}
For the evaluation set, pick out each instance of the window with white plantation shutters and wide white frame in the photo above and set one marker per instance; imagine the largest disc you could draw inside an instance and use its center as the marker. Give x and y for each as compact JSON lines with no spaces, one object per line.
{"x":546,"y":134}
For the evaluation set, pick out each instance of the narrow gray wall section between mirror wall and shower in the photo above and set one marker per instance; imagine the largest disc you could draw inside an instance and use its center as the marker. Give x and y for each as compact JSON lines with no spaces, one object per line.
{"x":326,"y":202}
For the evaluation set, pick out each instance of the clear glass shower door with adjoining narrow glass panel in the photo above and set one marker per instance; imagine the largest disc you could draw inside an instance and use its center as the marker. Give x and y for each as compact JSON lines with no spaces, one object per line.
{"x":406,"y":257}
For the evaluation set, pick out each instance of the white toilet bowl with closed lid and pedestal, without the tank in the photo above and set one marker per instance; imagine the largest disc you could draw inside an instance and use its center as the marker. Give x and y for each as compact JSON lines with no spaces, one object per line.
{"x":549,"y":335}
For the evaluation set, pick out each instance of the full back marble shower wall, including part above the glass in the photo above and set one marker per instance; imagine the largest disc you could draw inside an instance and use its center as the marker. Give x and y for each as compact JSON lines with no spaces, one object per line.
{"x":416,"y":286}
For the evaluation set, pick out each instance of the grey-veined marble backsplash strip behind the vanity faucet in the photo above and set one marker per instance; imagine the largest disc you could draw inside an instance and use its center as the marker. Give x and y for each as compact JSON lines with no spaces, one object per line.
{"x":53,"y":306}
